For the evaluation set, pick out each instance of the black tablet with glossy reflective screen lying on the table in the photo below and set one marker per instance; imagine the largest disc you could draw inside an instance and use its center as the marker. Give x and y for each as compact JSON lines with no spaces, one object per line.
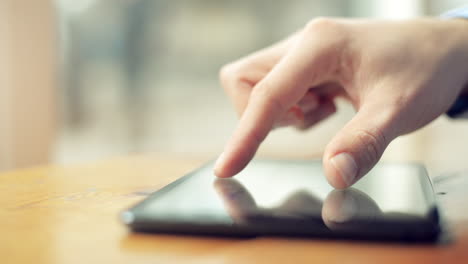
{"x":292,"y":198}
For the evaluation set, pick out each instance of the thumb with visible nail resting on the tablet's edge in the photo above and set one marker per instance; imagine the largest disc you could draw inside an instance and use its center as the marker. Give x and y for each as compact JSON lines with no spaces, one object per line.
{"x":358,"y":146}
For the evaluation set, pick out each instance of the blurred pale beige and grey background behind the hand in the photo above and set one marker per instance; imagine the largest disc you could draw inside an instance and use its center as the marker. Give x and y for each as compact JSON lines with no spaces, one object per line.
{"x":87,"y":80}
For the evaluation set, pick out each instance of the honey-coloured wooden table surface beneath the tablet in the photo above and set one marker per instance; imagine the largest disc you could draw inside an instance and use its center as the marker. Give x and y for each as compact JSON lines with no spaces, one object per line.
{"x":69,"y":215}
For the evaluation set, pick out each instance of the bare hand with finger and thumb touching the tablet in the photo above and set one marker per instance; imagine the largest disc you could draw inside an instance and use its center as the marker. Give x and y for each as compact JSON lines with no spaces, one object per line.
{"x":398,"y":75}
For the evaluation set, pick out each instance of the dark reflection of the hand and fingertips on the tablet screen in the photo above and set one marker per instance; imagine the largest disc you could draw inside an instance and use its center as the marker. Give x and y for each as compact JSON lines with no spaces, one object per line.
{"x":341,"y":210}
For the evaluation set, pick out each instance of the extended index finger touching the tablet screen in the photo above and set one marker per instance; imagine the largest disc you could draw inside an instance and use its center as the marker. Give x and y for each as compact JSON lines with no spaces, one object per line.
{"x":283,"y":87}
